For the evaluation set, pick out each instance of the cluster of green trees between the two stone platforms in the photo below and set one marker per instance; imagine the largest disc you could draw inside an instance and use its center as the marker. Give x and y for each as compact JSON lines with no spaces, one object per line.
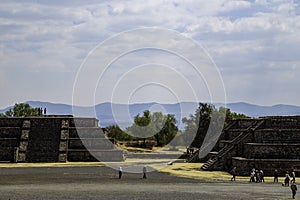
{"x":162,"y":128}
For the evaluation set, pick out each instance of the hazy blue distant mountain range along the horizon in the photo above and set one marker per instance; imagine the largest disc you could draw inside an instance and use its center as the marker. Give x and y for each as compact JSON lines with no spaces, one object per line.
{"x":108,"y":113}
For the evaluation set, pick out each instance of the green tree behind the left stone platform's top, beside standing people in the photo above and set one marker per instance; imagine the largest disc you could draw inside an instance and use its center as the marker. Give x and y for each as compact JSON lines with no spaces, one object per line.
{"x":22,"y":110}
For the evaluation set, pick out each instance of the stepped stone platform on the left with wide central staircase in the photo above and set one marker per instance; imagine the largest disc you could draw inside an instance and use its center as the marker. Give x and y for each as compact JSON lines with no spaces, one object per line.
{"x":55,"y":139}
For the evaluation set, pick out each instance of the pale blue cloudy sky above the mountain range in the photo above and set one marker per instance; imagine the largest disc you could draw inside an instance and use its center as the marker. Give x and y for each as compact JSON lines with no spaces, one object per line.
{"x":47,"y":47}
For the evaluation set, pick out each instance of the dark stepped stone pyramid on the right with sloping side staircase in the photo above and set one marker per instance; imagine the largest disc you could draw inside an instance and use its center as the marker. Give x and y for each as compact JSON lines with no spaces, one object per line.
{"x":266,"y":143}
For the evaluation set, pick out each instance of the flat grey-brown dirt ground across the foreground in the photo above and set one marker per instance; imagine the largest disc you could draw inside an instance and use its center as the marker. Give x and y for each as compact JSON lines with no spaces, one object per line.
{"x":100,"y":182}
